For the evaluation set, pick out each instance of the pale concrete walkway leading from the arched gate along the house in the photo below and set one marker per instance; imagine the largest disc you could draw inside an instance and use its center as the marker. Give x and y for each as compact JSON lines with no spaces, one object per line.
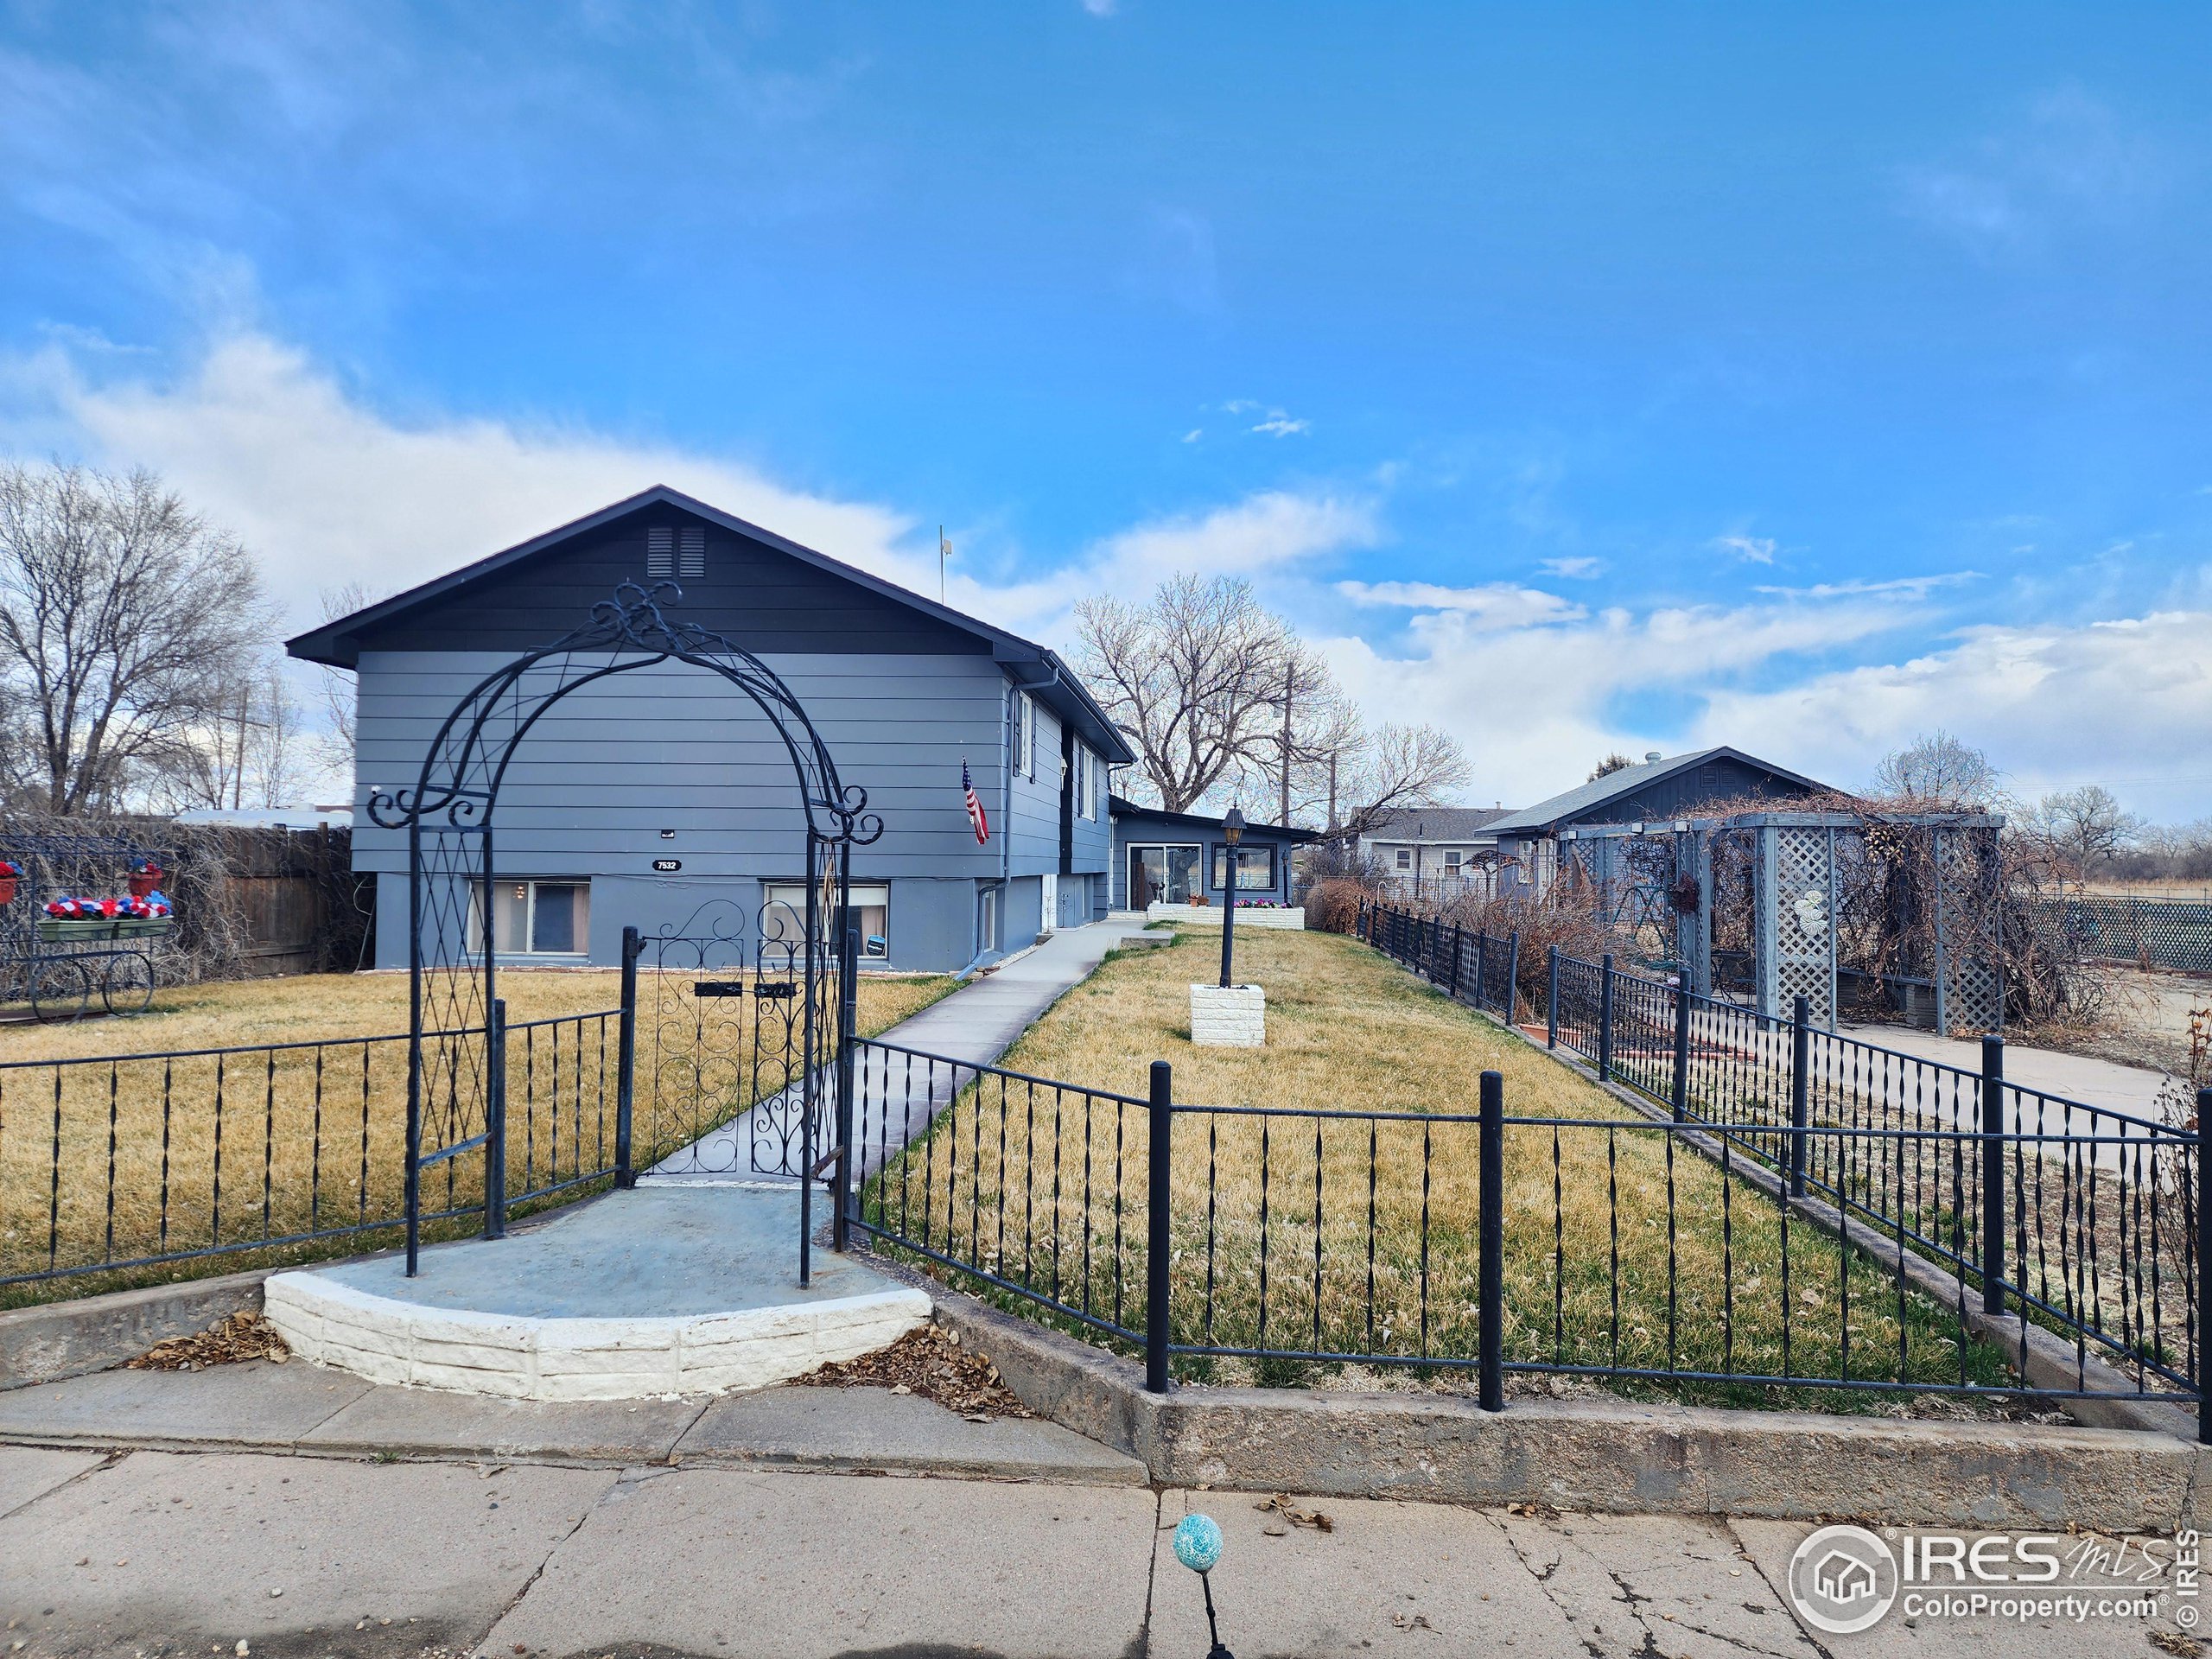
{"x":974,"y":1025}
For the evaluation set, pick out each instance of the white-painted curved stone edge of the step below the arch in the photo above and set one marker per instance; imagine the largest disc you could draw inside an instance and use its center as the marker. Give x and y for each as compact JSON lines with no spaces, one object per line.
{"x":578,"y":1359}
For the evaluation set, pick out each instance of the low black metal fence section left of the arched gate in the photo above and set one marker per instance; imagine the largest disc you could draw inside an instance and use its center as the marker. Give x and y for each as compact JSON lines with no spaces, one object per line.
{"x":129,"y":1162}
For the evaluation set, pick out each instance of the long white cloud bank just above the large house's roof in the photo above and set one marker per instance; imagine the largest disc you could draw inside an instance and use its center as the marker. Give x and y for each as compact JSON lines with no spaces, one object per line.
{"x":328,"y":490}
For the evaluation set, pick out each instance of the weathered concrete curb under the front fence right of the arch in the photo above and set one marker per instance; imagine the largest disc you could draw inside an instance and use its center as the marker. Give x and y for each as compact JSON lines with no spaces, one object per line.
{"x":1592,"y":1454}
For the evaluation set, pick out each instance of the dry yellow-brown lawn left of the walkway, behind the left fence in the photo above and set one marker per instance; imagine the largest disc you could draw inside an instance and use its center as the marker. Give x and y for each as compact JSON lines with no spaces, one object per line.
{"x":145,"y":1149}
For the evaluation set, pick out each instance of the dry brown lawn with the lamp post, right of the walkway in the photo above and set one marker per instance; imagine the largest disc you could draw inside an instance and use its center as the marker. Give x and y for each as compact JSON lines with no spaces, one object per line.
{"x":1302,"y":1233}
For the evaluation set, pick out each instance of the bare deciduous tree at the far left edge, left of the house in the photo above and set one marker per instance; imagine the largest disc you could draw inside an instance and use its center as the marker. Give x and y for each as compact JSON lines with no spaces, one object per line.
{"x":125,"y":625}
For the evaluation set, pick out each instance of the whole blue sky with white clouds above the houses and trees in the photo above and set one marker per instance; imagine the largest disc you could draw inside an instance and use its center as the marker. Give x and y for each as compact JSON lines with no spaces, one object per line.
{"x":1623,"y":377}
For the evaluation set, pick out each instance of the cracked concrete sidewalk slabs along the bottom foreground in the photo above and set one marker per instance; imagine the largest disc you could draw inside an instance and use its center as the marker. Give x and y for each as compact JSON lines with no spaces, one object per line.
{"x":251,"y":1554}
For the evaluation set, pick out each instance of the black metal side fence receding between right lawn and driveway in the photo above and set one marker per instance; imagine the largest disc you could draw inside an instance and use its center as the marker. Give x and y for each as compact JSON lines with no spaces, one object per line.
{"x":2085,"y":1218}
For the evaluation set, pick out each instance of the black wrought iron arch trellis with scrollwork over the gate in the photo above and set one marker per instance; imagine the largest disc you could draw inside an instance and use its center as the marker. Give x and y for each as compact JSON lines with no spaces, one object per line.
{"x":455,"y":1061}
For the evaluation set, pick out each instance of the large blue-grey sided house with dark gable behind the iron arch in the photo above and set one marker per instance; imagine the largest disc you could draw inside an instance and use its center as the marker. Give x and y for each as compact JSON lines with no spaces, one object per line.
{"x":647,"y":795}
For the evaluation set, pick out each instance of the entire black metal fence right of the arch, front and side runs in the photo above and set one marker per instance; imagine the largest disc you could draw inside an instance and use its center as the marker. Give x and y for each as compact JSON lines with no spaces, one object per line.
{"x":1795,"y":1211}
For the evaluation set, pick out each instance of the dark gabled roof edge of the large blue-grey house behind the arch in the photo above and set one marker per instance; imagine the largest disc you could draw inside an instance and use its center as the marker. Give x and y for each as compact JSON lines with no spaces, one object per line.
{"x":340,"y":643}
